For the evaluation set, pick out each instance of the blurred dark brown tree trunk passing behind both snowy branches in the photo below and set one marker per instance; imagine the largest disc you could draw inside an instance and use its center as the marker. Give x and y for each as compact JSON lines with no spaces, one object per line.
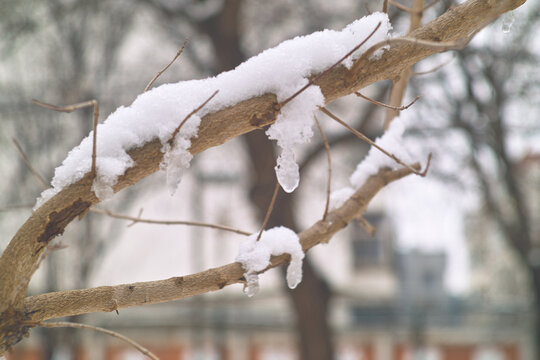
{"x":310,"y":299}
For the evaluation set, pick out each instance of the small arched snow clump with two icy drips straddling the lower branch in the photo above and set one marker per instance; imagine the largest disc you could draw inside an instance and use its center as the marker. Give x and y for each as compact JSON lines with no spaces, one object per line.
{"x":255,"y":256}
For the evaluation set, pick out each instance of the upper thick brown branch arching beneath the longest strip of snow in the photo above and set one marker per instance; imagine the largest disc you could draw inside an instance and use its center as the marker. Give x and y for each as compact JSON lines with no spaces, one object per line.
{"x":24,"y":250}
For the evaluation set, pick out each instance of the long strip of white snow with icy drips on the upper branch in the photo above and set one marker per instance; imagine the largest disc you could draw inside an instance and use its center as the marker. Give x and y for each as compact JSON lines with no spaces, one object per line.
{"x":156,"y":113}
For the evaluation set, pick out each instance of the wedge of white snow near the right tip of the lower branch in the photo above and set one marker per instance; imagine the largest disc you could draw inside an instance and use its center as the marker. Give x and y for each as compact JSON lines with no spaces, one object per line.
{"x":392,"y":142}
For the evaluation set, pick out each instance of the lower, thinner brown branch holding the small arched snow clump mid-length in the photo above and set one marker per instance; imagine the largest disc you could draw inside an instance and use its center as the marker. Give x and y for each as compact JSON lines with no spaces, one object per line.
{"x":110,"y":298}
